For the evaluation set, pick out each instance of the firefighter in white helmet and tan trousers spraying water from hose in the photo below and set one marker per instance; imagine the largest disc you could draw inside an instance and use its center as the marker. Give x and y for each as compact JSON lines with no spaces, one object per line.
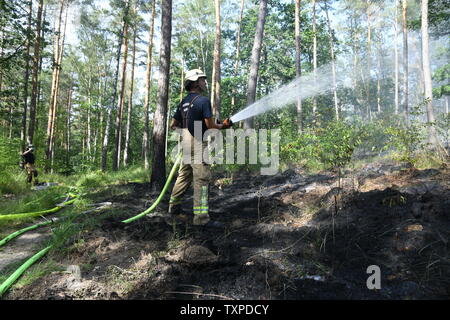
{"x":194,"y":107}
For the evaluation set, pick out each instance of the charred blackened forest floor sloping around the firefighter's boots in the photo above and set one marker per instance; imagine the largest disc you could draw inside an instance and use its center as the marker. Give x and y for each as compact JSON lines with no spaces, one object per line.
{"x":288,"y":236}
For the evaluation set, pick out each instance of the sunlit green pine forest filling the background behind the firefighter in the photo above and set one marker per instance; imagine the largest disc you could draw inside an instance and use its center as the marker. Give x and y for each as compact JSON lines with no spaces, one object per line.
{"x":80,"y":79}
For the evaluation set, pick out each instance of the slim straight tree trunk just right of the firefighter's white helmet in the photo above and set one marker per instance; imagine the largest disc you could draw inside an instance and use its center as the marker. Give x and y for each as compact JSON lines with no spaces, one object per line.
{"x":215,"y":90}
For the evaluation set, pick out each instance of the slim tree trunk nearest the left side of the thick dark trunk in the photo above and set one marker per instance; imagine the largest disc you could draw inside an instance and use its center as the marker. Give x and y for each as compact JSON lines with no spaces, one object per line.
{"x":145,"y":140}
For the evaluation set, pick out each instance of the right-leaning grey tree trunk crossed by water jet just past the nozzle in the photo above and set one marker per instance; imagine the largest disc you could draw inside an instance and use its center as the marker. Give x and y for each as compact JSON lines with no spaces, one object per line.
{"x":254,"y":62}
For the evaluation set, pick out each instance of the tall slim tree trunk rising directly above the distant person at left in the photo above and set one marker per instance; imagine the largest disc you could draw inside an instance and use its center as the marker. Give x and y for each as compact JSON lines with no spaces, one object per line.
{"x":35,"y":76}
